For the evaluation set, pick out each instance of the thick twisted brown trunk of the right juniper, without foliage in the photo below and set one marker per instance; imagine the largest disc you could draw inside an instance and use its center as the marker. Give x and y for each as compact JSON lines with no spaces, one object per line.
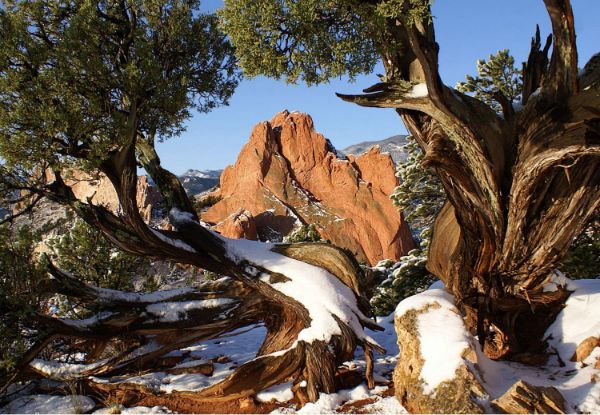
{"x":520,"y":185}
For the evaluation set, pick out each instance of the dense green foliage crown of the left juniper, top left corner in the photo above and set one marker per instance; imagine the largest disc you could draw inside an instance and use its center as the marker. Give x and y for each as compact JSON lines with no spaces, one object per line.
{"x":72,"y":72}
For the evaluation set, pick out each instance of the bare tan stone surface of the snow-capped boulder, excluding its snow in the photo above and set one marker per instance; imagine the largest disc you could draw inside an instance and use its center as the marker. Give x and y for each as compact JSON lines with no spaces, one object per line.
{"x":457,"y":395}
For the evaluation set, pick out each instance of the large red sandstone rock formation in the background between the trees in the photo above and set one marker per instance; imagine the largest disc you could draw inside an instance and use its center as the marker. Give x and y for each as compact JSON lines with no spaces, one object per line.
{"x":288,"y":174}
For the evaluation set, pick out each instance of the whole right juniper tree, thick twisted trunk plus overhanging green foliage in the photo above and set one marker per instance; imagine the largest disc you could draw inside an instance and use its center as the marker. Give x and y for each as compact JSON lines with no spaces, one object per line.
{"x":519,"y":186}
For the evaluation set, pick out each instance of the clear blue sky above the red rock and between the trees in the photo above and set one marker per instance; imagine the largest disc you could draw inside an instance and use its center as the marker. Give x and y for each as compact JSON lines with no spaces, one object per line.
{"x":466,"y":30}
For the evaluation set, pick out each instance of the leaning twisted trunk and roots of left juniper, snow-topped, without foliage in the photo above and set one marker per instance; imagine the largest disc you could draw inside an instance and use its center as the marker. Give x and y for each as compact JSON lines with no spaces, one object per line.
{"x":308,"y":335}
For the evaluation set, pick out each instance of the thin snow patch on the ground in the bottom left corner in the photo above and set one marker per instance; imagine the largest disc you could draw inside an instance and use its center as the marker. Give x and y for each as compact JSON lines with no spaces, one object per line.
{"x":48,"y":404}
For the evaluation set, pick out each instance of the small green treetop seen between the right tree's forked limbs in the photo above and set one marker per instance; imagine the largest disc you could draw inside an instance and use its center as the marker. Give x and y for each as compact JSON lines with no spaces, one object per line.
{"x":497,"y":74}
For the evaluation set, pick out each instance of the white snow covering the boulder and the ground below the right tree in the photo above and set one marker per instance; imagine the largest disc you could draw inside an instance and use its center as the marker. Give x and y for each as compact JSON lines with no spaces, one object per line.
{"x":579,"y":320}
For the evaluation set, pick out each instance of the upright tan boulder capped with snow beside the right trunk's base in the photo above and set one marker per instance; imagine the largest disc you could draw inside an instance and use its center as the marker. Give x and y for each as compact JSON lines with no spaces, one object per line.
{"x":435,"y":376}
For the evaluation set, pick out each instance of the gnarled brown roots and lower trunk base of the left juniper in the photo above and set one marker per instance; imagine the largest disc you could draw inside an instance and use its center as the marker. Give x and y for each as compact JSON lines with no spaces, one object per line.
{"x":155,"y":324}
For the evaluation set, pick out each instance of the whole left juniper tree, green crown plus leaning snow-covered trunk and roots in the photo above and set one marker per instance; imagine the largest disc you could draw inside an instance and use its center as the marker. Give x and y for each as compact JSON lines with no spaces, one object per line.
{"x":92,"y":86}
